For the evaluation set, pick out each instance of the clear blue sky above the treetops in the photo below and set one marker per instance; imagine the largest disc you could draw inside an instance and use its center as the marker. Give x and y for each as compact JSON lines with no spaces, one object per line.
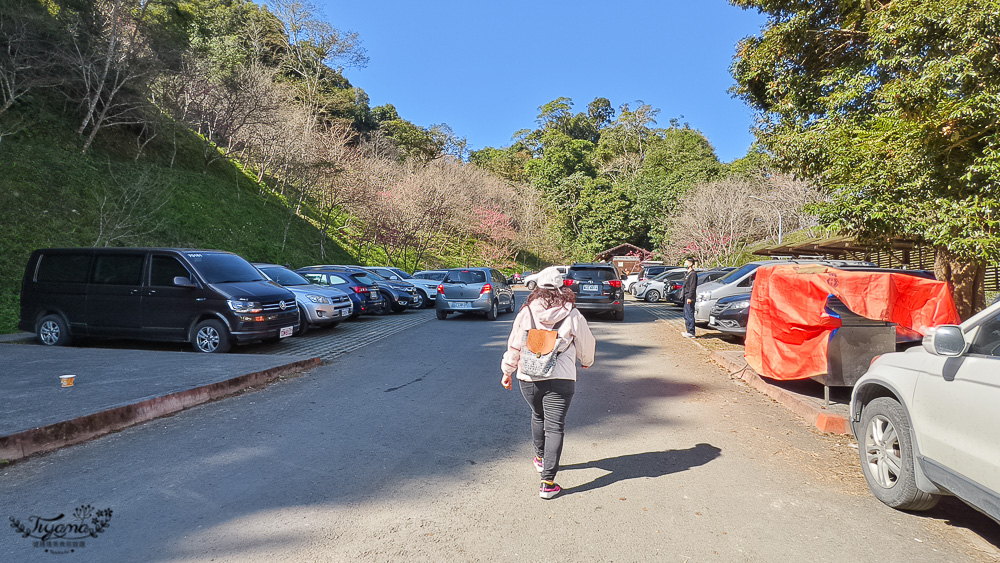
{"x":485,"y":67}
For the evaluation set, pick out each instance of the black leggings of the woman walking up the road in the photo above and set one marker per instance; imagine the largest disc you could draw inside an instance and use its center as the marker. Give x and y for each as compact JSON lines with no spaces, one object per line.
{"x":549,"y":401}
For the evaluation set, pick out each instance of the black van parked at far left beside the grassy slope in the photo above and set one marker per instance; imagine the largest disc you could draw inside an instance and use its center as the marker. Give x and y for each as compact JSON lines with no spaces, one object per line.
{"x":209,"y":298}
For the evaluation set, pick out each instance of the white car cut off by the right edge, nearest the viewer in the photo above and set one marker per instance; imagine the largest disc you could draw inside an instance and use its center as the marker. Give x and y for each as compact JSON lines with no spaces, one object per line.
{"x":926,"y":419}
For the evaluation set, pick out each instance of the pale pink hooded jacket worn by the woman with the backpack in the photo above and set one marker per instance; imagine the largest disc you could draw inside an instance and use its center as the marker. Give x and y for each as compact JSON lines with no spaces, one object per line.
{"x":578,"y":343}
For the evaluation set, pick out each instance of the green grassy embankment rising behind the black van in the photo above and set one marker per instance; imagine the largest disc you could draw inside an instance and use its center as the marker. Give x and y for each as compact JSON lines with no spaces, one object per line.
{"x":51,"y":195}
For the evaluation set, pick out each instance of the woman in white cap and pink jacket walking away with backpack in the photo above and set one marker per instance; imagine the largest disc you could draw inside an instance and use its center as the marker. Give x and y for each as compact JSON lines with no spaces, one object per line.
{"x":549,"y":389}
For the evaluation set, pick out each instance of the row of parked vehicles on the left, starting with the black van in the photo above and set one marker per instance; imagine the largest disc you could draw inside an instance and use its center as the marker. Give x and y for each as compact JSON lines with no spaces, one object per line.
{"x":215,"y":299}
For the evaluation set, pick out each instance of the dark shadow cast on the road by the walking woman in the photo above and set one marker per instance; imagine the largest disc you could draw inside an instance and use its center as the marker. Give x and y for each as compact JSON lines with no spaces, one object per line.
{"x":648,"y":464}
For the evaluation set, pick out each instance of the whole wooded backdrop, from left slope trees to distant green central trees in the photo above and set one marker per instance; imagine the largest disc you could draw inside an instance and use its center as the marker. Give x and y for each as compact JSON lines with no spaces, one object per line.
{"x":263,"y":86}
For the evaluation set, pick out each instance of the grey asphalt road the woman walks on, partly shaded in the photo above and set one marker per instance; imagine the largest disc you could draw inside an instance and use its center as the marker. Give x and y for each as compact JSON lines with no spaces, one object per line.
{"x":409,"y":449}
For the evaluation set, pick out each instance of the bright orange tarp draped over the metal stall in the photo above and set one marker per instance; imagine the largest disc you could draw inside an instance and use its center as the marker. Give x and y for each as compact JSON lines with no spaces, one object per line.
{"x":789,"y":328}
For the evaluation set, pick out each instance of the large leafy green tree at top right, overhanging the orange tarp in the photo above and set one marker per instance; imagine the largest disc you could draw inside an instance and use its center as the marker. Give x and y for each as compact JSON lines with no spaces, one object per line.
{"x":893,"y":108}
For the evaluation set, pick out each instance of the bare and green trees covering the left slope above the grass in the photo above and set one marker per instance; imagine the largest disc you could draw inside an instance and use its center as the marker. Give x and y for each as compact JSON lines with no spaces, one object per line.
{"x":262,"y":87}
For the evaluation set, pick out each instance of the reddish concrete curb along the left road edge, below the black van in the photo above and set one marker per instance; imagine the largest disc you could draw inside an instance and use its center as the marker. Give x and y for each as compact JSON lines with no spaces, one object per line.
{"x":54,"y":436}
